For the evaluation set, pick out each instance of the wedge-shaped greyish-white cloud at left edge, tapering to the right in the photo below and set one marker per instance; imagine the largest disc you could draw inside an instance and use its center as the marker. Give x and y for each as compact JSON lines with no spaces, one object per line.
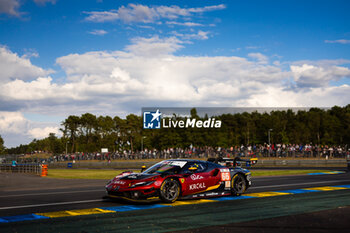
{"x":13,"y":67}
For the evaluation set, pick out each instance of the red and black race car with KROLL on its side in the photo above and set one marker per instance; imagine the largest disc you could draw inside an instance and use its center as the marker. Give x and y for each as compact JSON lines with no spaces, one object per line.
{"x":180,"y":178}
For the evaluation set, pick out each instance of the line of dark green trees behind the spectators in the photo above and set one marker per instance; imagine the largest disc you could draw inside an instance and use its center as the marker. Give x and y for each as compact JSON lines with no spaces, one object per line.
{"x":90,"y":133}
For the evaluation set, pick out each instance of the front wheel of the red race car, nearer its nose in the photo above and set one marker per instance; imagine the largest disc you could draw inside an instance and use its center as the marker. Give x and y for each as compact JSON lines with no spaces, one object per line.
{"x":169,"y":190}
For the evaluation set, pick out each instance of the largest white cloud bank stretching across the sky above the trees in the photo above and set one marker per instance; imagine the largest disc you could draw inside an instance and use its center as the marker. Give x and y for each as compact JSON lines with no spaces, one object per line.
{"x":148,"y":71}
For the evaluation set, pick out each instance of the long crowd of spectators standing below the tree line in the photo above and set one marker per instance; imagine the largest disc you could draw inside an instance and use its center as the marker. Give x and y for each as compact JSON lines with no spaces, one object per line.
{"x":265,"y":150}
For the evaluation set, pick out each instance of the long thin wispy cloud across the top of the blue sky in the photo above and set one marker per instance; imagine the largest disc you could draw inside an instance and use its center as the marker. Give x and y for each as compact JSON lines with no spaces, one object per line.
{"x":146,"y":14}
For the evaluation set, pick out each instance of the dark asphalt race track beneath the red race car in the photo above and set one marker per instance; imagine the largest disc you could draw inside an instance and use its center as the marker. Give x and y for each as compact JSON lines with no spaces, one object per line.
{"x":324,"y":211}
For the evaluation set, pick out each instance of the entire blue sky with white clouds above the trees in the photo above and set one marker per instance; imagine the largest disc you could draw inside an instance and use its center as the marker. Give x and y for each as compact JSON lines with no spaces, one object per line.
{"x":112,"y":57}
